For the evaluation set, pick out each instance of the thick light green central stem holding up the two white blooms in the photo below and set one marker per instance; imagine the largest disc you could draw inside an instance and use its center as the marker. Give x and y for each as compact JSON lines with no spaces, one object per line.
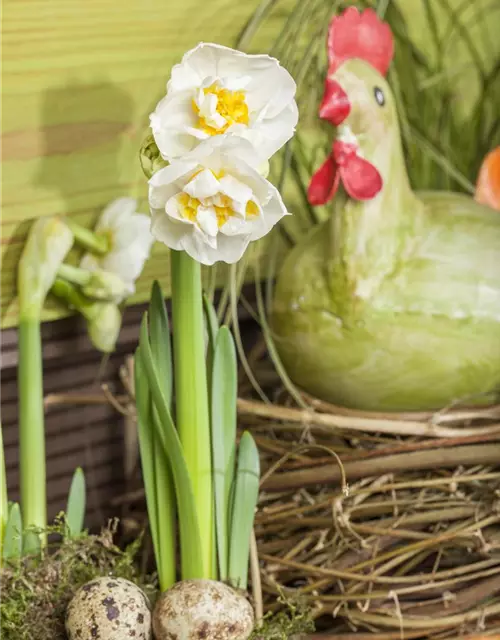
{"x":191,"y":394}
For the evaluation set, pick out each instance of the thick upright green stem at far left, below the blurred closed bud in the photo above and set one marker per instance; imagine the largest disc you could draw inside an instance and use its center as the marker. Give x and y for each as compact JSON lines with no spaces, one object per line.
{"x":31,"y":424}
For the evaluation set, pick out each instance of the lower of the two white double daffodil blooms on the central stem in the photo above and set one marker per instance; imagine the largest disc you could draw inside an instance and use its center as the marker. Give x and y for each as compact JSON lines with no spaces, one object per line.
{"x":212,"y":203}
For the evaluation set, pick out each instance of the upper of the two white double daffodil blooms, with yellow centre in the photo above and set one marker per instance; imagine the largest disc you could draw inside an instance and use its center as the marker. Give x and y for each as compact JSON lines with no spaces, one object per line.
{"x":217,"y":90}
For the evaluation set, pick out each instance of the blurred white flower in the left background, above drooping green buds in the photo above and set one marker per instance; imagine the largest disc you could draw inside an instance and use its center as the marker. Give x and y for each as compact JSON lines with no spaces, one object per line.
{"x":130,"y":239}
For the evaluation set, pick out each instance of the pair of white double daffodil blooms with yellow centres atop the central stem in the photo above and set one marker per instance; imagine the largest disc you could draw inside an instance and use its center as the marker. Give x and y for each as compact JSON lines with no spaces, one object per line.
{"x":225,"y":114}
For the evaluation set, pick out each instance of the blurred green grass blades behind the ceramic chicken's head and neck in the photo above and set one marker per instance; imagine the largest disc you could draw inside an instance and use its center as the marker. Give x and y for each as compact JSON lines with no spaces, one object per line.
{"x":445,"y":77}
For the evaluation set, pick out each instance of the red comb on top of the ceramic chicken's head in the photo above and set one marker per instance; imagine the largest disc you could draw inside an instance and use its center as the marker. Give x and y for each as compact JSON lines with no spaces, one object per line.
{"x":360,"y":35}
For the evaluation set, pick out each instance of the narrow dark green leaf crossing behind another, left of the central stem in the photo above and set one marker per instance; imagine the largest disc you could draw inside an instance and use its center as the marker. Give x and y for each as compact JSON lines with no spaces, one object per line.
{"x":165,"y":493}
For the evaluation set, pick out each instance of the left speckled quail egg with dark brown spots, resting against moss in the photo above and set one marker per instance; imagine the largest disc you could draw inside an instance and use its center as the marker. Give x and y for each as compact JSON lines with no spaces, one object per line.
{"x":109,"y":609}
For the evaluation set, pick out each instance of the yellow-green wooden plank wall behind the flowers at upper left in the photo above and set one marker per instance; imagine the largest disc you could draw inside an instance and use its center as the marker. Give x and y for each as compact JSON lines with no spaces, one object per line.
{"x":80,"y":78}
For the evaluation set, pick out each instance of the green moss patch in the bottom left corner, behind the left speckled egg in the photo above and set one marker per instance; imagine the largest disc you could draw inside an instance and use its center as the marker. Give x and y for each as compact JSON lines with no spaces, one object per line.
{"x":35,"y":593}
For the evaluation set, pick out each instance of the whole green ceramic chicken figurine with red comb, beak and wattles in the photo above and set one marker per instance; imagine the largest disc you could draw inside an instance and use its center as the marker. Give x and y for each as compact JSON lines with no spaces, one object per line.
{"x":394,"y":302}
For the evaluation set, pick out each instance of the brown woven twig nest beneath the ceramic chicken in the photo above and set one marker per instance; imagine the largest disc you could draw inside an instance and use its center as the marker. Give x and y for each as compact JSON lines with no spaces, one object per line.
{"x":385,"y":525}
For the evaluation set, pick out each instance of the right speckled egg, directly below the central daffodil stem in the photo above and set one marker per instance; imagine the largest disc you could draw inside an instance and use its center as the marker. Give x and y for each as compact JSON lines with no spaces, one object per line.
{"x":202,"y":610}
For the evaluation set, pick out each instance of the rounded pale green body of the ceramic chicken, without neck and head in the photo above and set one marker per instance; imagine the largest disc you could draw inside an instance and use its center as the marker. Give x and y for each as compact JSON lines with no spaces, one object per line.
{"x":398,"y":321}
